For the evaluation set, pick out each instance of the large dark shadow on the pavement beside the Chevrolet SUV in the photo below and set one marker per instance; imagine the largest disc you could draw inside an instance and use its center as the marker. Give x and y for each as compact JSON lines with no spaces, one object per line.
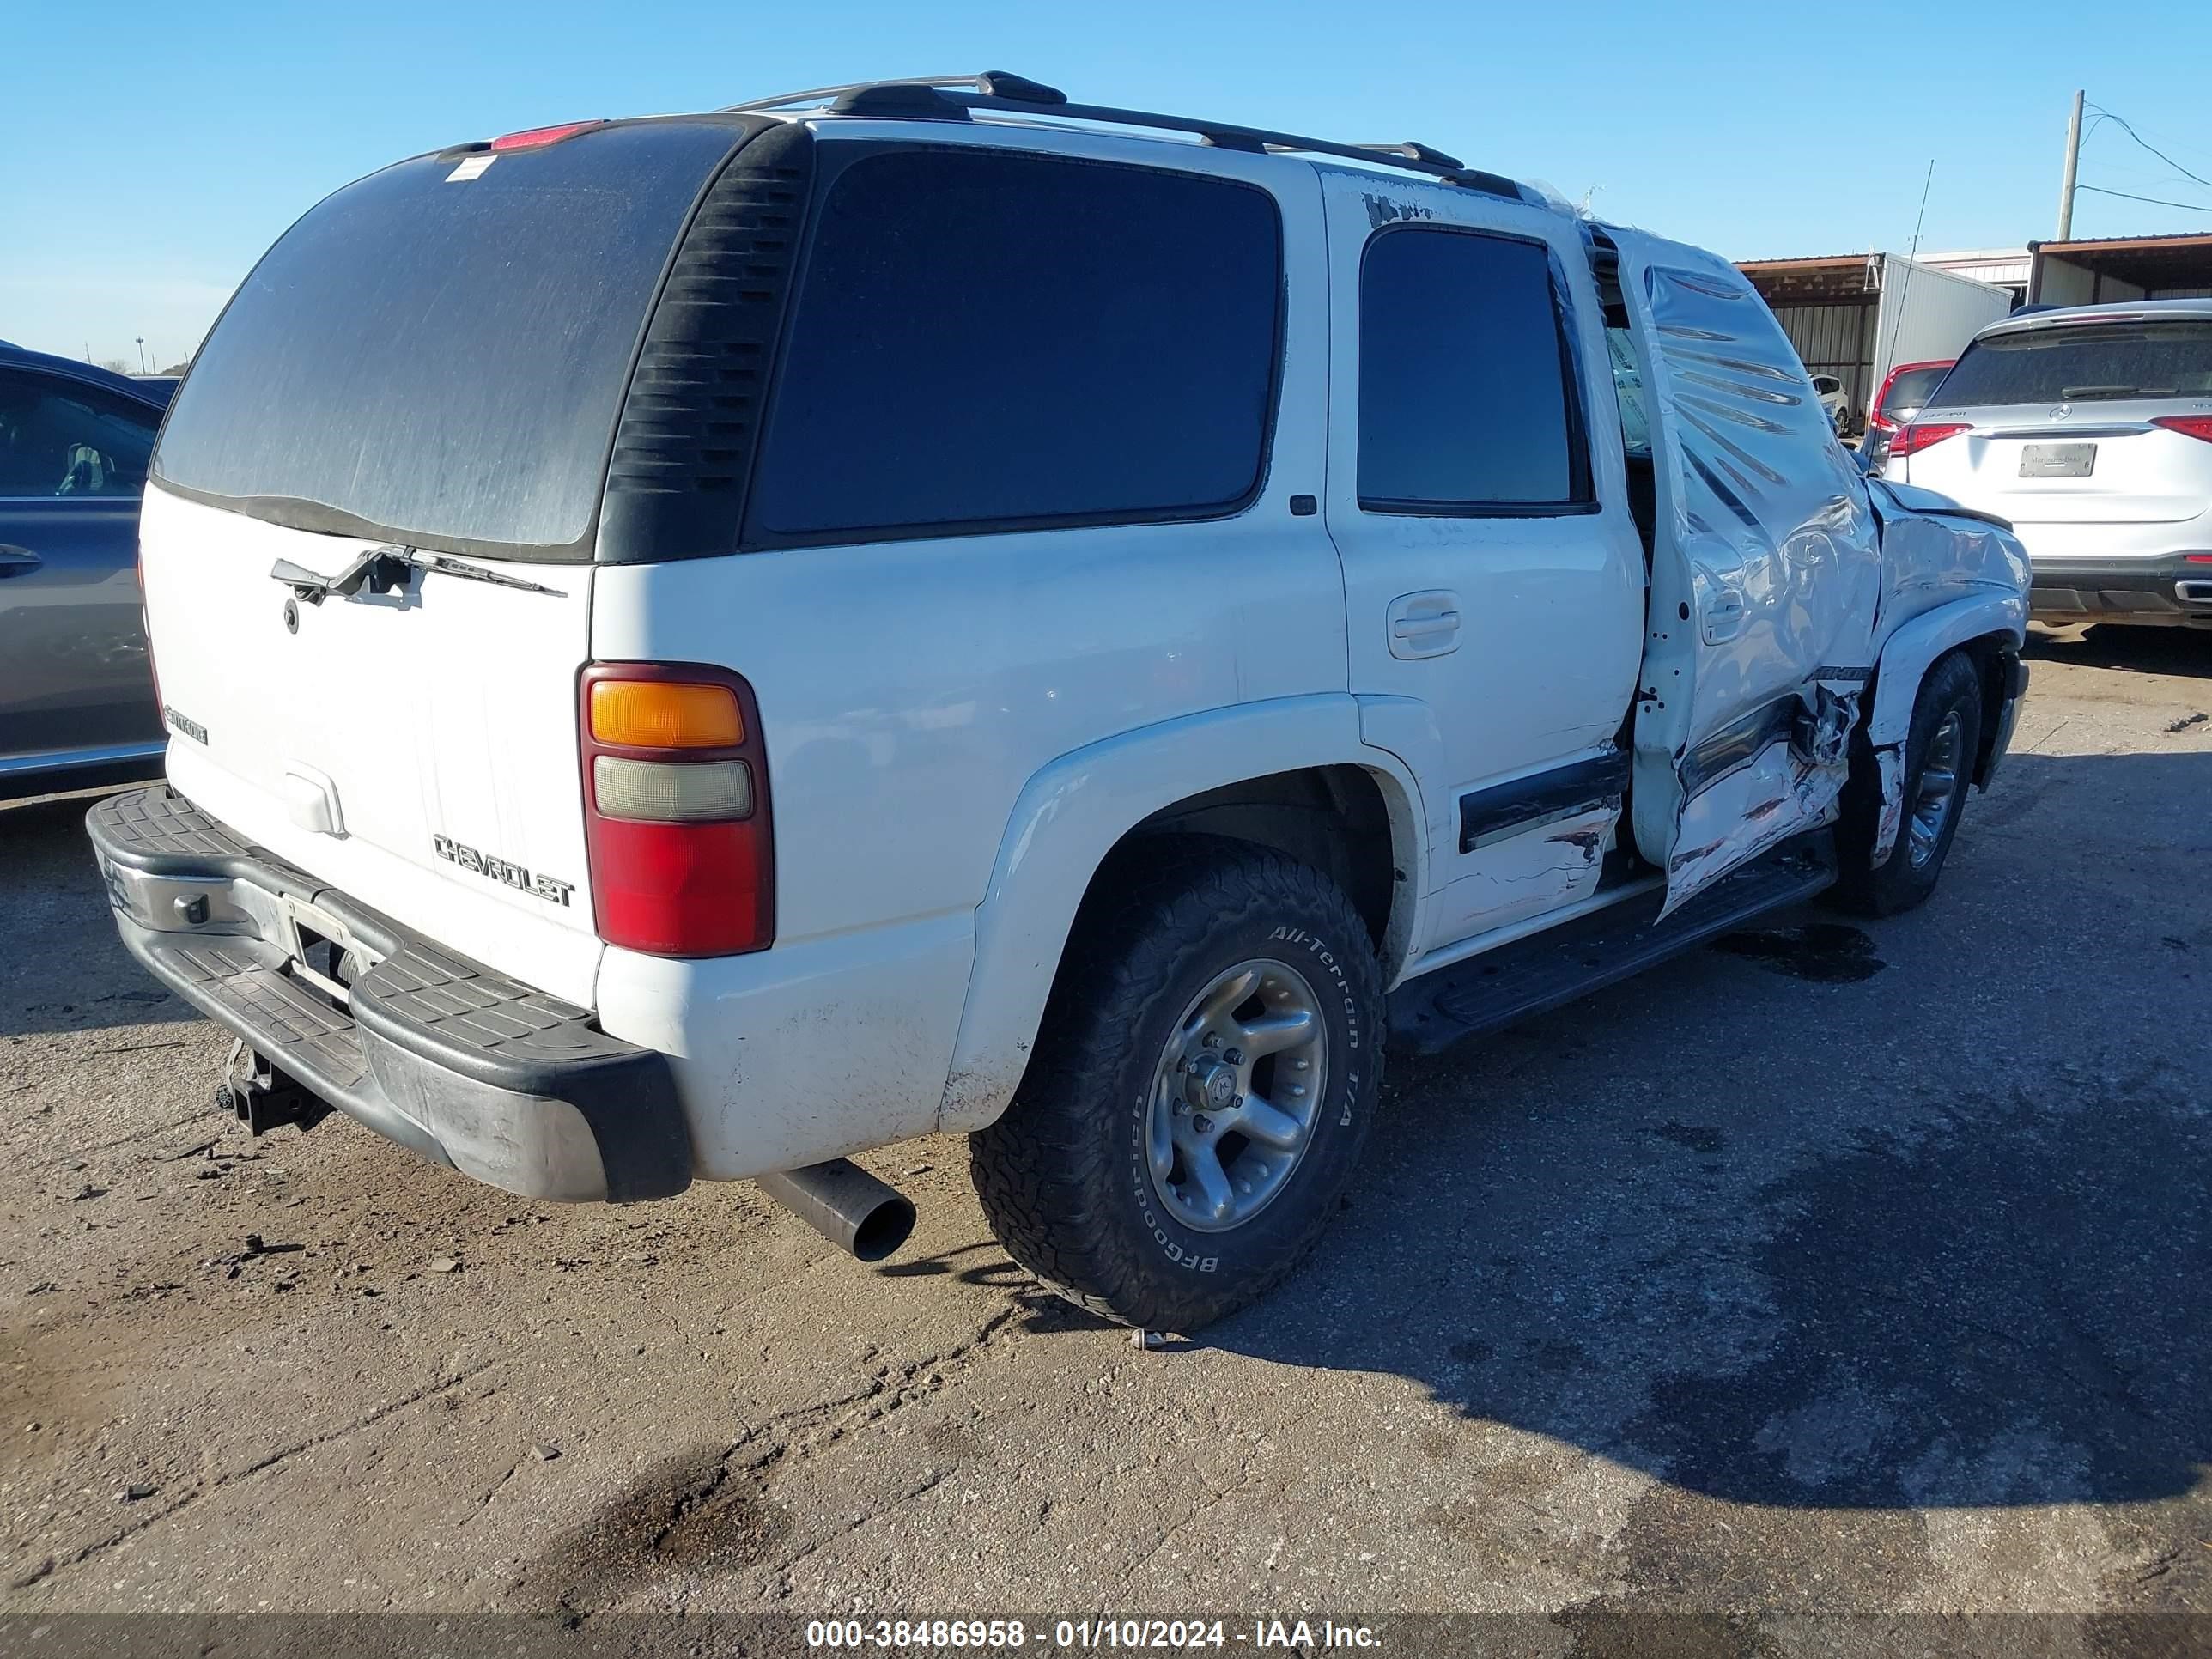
{"x":1879,"y":1266}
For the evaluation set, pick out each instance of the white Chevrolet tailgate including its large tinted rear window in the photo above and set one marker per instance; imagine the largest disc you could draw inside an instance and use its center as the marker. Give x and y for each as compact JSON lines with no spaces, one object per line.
{"x":430,"y":366}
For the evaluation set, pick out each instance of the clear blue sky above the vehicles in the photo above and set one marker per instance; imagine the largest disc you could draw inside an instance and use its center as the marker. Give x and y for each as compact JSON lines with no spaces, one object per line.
{"x":152,"y":163}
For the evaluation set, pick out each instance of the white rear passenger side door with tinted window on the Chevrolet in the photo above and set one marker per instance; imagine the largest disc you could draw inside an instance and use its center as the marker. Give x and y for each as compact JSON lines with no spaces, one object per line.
{"x":1494,"y":583}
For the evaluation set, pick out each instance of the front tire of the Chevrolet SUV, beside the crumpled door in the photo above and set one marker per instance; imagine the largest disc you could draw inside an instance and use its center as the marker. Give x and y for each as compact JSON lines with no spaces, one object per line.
{"x":1939,"y":771}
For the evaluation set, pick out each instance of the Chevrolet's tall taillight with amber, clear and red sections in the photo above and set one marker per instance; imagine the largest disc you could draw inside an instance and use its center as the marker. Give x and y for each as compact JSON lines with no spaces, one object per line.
{"x":678,"y":831}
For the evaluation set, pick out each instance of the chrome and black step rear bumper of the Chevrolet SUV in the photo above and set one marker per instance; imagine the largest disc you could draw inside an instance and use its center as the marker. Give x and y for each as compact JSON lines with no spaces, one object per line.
{"x":444,"y":1056}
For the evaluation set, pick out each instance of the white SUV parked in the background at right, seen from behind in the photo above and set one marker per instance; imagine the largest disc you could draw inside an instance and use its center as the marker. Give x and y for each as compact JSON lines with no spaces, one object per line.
{"x":2091,"y":432}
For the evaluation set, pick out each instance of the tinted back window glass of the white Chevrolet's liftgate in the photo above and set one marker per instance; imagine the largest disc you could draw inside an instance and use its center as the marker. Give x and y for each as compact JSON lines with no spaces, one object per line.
{"x":441,"y":359}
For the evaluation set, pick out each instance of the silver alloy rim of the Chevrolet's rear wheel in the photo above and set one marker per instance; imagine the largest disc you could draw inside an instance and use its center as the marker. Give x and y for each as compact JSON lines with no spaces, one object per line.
{"x":1238,"y":1094}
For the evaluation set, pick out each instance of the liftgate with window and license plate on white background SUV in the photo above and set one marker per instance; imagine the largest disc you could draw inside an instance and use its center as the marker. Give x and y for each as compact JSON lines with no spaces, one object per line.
{"x":2060,"y":424}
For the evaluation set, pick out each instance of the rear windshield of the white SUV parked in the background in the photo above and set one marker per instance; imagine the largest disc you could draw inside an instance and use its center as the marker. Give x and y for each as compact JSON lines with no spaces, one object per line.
{"x":2083,"y":364}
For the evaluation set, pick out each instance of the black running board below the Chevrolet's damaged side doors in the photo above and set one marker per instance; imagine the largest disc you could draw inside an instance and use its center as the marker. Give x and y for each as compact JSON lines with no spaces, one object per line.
{"x":1563,"y":963}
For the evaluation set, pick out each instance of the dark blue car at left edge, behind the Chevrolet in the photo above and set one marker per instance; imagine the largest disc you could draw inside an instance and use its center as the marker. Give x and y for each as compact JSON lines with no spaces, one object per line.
{"x":76,"y":687}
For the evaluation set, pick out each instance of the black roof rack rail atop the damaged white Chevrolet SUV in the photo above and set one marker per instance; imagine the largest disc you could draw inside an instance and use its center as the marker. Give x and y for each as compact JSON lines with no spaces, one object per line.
{"x":954,"y":96}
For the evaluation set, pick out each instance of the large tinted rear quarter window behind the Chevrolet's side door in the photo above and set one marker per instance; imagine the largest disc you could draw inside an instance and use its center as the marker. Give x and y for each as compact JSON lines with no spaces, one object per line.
{"x":992,"y":342}
